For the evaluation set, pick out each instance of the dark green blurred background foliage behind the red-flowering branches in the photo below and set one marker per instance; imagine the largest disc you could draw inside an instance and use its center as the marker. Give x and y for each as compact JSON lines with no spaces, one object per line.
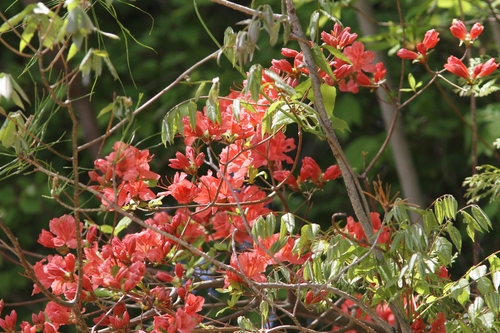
{"x":164,"y":38}
